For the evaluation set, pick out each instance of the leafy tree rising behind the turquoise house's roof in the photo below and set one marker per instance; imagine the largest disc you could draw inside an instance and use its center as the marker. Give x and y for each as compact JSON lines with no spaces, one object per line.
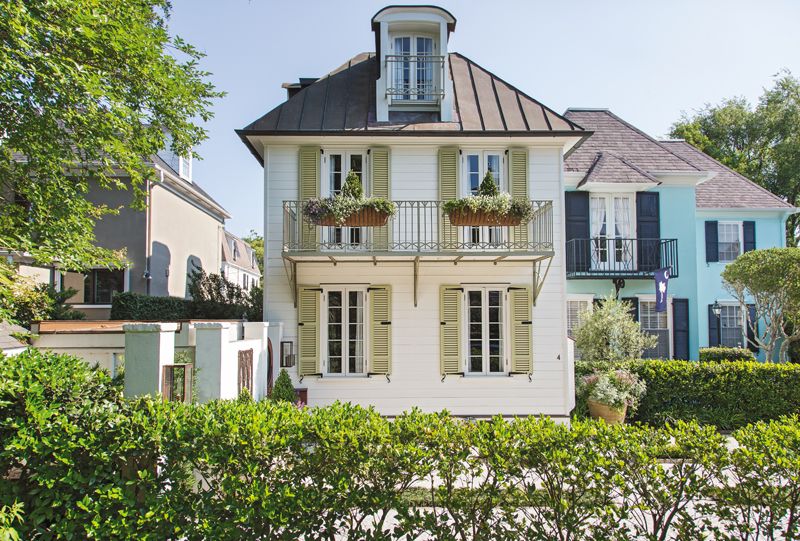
{"x":761,"y":142}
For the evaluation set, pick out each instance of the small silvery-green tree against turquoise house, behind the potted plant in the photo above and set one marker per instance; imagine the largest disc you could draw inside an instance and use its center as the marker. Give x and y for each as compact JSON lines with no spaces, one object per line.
{"x":609,"y":333}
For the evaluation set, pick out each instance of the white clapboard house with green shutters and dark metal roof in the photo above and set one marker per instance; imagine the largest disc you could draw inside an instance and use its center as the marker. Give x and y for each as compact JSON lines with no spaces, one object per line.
{"x":417,"y":313}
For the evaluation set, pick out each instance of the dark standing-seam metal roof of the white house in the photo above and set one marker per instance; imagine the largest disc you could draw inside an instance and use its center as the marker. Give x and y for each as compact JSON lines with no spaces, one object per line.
{"x":344,"y":101}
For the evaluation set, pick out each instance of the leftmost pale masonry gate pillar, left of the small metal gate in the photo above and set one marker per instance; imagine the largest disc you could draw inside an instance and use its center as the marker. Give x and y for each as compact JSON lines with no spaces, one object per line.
{"x":148,"y":348}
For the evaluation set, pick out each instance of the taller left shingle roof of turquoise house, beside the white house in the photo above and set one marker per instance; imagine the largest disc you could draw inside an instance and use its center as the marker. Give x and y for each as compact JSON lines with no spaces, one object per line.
{"x":612,"y":134}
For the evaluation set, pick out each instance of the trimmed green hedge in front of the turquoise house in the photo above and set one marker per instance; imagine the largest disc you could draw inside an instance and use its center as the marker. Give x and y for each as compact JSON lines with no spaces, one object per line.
{"x":728,"y":395}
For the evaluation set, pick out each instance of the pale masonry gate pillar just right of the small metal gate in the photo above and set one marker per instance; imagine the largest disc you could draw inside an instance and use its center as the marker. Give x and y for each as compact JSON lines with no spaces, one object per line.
{"x":211,"y":352}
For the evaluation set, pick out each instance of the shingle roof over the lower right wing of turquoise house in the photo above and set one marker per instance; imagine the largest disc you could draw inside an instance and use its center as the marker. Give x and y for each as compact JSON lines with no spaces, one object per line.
{"x":728,"y":189}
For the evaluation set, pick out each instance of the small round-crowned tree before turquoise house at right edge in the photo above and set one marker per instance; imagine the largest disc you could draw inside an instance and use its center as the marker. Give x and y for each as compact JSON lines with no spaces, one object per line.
{"x":770,"y":279}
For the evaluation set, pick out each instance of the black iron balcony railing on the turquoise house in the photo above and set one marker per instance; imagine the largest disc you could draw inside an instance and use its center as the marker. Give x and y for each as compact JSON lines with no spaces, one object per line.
{"x":603,"y":257}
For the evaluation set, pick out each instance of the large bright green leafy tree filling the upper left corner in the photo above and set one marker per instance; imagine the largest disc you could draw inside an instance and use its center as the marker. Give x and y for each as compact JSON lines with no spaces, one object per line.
{"x":89,"y":91}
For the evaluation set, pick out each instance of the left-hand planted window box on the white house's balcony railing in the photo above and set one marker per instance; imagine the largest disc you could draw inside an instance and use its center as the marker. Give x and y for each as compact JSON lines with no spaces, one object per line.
{"x":350,"y":207}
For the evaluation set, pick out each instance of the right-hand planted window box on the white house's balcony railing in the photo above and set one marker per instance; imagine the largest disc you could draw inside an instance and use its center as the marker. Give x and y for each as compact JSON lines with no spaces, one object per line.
{"x":489,"y":207}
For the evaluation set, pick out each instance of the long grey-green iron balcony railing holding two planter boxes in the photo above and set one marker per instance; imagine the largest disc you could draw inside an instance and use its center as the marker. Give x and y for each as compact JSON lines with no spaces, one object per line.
{"x":418,"y":228}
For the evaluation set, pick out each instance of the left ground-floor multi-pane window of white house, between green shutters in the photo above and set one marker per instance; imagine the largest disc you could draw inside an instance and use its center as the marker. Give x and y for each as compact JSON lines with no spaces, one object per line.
{"x":345,"y":327}
